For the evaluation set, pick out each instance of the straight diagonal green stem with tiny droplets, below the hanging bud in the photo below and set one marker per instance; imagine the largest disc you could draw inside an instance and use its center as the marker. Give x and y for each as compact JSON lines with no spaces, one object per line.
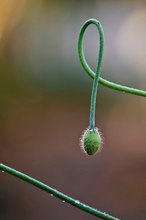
{"x":56,"y":193}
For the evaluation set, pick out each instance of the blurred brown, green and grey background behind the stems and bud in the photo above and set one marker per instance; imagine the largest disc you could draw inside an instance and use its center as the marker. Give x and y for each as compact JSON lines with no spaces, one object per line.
{"x":44,"y":108}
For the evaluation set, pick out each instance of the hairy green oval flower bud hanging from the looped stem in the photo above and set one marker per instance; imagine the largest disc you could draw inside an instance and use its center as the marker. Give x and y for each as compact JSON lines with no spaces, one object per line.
{"x":91,"y":141}
